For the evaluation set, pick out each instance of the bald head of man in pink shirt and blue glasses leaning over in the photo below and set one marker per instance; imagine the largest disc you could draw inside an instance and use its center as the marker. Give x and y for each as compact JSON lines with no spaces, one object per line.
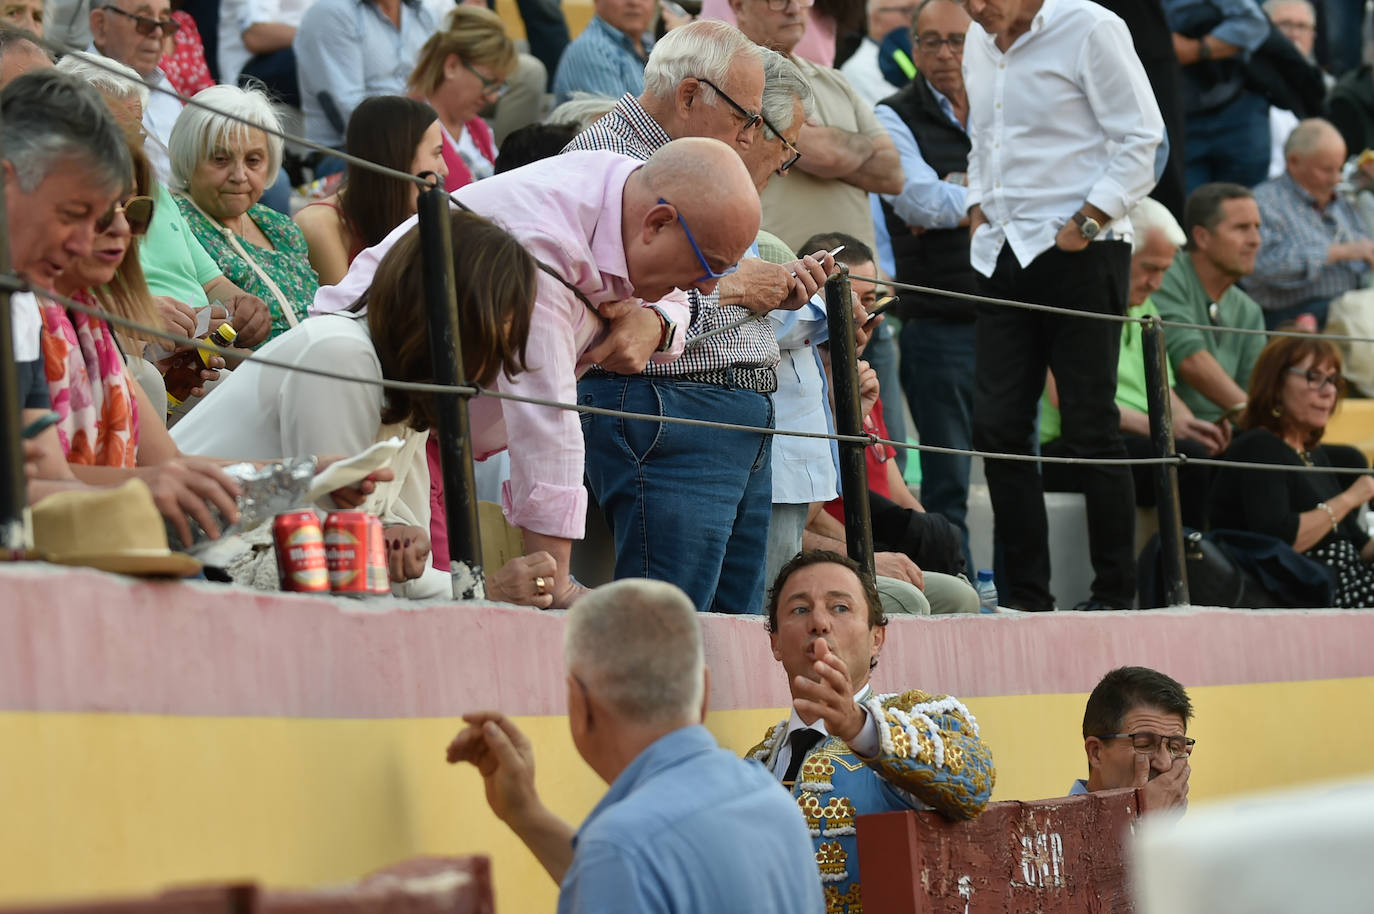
{"x":692,"y":190}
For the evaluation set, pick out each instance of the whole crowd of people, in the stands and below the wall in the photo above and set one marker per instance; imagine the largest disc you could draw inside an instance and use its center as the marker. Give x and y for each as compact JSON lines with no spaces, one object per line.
{"x":667,"y":258}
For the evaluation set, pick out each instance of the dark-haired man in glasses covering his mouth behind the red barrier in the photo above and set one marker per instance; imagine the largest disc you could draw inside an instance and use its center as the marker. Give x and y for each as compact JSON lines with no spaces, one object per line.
{"x":1136,"y":736}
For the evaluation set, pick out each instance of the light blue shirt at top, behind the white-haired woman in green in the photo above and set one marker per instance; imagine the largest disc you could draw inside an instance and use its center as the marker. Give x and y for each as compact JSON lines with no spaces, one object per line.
{"x":352,"y":52}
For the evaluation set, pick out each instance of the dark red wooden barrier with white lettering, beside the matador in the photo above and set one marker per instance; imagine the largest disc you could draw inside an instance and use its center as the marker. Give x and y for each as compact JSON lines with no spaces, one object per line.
{"x":1053,"y":857}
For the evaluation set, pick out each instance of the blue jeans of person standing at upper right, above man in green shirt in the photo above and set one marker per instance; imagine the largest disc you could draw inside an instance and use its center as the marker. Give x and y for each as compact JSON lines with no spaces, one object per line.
{"x":1230,"y":145}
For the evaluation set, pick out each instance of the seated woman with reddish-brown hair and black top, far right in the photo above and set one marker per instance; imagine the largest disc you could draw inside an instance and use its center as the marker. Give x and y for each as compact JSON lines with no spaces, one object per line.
{"x":1295,"y":390}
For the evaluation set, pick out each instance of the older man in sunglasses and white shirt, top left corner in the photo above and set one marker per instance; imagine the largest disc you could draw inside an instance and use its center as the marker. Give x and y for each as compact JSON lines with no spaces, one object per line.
{"x":134,"y":32}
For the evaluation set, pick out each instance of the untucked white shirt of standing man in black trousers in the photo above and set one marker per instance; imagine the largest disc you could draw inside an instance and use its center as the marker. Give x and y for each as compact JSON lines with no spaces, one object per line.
{"x":1066,"y":116}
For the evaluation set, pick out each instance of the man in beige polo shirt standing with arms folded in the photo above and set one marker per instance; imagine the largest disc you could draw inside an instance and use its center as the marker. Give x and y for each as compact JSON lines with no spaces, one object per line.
{"x":846,"y":152}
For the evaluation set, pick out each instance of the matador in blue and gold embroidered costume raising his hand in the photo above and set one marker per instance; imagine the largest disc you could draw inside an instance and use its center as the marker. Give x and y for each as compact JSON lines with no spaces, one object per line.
{"x":848,"y":751}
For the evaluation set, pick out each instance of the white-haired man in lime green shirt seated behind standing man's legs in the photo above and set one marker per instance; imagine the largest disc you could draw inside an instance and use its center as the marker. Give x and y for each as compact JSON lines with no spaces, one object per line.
{"x":1158,"y":240}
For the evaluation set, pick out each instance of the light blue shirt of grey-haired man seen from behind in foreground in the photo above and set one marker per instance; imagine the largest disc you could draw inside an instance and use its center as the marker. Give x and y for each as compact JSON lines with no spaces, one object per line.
{"x":690,"y":828}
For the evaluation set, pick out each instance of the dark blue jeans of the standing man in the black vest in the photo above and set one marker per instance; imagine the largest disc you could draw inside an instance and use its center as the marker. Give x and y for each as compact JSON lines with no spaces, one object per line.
{"x":938,"y":359}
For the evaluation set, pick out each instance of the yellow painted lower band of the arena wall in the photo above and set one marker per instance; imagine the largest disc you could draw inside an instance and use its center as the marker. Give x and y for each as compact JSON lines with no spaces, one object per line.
{"x":128,"y":803}
